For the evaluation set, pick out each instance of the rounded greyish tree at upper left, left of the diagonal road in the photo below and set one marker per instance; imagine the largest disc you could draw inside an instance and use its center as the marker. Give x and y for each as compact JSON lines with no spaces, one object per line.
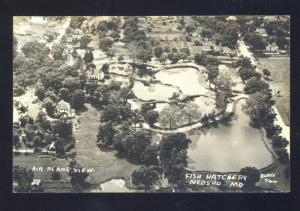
{"x":35,"y":50}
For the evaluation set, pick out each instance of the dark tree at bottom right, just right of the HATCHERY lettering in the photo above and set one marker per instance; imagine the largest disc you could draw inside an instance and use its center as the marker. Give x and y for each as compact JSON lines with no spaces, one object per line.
{"x":253,"y":177}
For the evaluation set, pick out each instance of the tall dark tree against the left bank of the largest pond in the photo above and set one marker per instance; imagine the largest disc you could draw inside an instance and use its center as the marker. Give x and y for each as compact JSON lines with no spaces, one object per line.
{"x":173,"y":156}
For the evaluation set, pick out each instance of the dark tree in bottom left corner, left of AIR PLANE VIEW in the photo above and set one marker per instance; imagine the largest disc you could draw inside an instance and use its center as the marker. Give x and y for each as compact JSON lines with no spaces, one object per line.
{"x":23,"y":177}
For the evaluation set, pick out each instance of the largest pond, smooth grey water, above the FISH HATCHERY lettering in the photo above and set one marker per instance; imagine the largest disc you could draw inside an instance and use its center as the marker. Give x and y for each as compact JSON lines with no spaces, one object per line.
{"x":229,"y":148}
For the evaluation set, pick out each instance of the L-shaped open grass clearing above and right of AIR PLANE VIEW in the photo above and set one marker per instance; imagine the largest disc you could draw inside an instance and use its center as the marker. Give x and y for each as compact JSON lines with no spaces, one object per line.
{"x":105,"y":163}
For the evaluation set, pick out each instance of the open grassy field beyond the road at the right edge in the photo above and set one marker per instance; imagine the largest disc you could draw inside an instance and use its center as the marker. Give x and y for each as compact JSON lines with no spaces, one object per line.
{"x":280,"y":75}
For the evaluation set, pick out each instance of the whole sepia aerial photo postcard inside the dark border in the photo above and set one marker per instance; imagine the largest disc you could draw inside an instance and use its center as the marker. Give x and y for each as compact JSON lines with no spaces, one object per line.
{"x":153,"y":104}
